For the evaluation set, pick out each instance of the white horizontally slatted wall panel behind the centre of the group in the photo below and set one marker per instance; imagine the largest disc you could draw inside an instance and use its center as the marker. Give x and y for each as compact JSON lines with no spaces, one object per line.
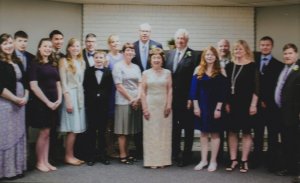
{"x":206,"y":24}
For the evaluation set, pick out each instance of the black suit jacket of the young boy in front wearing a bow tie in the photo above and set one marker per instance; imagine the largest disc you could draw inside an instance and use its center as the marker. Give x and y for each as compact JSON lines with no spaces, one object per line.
{"x":97,"y":96}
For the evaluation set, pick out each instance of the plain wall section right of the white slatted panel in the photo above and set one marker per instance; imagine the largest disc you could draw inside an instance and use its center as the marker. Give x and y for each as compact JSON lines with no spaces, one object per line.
{"x":282,"y":23}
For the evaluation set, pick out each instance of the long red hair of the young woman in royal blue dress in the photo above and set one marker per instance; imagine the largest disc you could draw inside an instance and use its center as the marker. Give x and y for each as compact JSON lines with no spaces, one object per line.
{"x":203,"y":65}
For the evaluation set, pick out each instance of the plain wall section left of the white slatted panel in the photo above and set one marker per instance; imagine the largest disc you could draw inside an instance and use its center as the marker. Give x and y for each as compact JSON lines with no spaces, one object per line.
{"x":38,"y":18}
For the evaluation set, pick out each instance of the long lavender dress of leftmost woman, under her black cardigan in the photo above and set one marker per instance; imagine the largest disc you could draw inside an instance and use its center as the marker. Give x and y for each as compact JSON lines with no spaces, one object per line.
{"x":12,"y":133}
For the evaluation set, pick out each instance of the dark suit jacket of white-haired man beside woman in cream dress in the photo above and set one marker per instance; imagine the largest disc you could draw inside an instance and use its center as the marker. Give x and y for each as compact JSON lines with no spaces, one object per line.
{"x":182,"y":76}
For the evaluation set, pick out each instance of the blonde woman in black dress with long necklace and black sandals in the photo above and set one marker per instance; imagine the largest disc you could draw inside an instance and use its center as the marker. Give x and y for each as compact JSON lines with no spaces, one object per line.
{"x":242,"y":104}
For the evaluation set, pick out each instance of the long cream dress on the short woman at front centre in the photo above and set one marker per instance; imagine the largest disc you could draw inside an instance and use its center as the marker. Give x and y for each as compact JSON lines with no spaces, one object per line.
{"x":157,"y":131}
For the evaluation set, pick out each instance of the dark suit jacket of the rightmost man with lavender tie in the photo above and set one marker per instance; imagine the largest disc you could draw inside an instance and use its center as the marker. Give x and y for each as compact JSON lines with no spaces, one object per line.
{"x":290,"y":97}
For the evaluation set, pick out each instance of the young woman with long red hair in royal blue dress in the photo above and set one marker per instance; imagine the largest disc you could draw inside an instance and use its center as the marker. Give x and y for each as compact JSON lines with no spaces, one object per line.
{"x":208,"y":92}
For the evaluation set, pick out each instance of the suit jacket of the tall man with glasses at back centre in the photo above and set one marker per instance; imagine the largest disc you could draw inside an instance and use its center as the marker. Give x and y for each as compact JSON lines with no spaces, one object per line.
{"x":137,"y":59}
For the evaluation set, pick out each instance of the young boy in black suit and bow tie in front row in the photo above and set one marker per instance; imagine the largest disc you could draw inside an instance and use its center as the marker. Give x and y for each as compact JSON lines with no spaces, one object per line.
{"x":97,"y":90}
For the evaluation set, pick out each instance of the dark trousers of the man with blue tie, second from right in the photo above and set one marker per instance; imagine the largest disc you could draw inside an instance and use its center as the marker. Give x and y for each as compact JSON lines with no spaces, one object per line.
{"x":270,"y":118}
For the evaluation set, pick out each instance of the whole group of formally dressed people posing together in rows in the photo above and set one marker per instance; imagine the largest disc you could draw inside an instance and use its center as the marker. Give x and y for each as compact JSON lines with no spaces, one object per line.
{"x":141,"y":92}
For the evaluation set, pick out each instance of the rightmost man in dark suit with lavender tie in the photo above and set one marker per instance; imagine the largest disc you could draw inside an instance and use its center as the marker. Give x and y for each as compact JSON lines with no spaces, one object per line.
{"x":287,"y":98}
